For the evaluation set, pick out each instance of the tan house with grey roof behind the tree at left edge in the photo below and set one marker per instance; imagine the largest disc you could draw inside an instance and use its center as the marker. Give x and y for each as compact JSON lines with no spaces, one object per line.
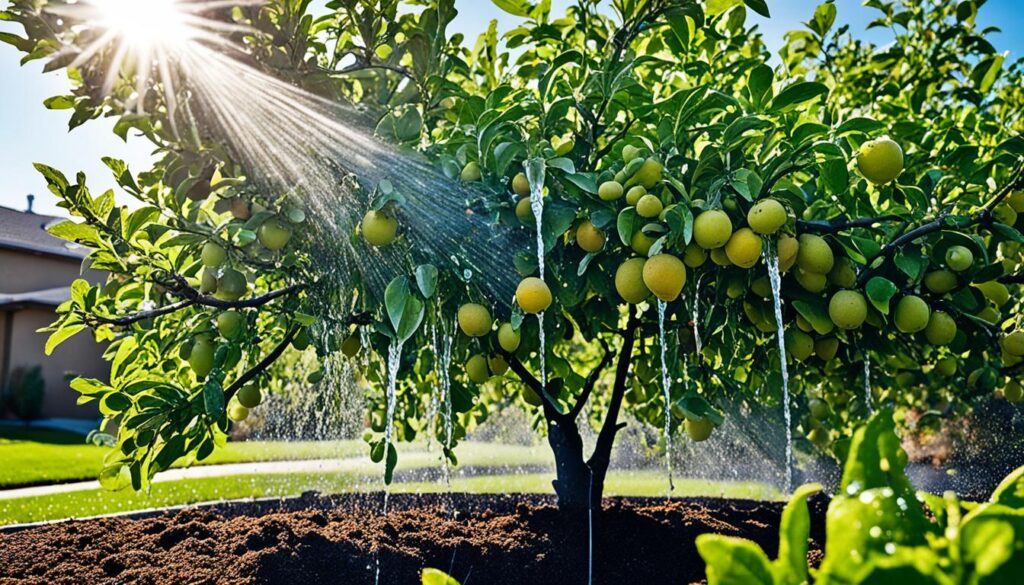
{"x":36,"y":271}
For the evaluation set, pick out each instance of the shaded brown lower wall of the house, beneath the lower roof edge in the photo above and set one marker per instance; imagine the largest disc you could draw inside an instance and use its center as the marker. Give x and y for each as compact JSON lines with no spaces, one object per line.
{"x":79,"y":356}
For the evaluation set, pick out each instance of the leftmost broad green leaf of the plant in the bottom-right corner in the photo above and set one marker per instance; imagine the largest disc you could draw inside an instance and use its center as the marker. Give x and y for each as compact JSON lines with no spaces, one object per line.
{"x":734,"y":561}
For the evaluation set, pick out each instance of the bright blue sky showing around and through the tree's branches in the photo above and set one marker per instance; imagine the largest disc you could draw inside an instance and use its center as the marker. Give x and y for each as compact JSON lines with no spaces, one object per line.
{"x":31,"y":134}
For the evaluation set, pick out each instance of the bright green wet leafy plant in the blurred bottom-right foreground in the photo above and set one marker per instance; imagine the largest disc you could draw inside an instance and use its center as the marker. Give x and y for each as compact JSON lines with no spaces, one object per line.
{"x":879,"y":531}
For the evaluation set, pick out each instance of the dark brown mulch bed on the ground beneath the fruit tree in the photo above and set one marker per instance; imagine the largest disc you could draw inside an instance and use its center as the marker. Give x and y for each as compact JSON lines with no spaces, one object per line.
{"x":338,"y":540}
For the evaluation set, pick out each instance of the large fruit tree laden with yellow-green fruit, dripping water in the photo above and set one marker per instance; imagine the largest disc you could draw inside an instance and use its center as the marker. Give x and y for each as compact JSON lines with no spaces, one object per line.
{"x":676,"y":161}
